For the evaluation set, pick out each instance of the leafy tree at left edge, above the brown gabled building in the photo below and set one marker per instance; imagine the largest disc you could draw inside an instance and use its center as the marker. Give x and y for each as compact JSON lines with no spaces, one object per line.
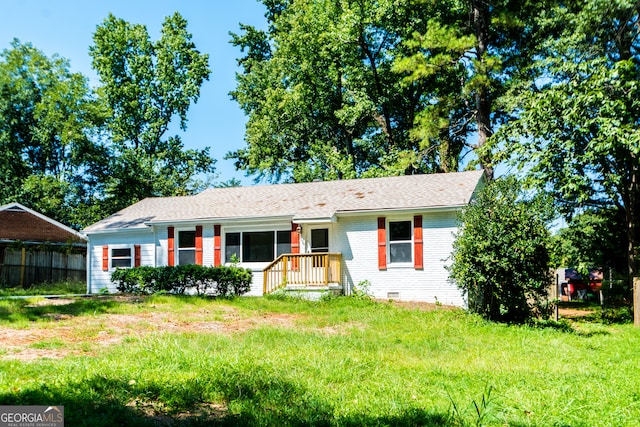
{"x":51,"y":159}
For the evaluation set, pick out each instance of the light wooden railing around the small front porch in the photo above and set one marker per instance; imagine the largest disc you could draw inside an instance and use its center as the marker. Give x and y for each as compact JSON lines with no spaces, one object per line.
{"x":315,"y":269}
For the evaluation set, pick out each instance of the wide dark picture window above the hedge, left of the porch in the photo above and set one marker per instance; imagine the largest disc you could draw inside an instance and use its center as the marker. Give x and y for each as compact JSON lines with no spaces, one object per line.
{"x":257,"y":246}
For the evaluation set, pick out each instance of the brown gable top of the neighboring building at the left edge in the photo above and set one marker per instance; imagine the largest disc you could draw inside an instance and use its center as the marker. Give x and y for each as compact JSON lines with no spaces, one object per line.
{"x":17,"y":222}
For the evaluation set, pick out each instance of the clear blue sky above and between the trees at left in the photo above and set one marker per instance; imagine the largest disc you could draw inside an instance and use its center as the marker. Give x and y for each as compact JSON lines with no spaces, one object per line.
{"x":66,"y":27}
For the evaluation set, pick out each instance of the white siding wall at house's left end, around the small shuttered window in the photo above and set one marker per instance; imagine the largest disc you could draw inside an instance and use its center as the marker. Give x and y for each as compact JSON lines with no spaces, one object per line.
{"x":97,"y":279}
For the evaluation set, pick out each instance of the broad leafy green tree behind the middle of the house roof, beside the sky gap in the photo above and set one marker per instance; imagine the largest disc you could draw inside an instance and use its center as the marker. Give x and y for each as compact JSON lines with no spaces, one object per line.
{"x":321,"y":95}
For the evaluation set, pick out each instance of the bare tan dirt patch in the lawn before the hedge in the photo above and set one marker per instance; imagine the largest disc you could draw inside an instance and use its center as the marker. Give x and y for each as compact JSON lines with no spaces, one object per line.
{"x":67,"y":335}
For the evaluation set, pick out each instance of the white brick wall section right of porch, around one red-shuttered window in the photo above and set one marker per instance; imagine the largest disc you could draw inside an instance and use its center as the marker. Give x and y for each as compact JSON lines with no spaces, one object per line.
{"x":358,"y":242}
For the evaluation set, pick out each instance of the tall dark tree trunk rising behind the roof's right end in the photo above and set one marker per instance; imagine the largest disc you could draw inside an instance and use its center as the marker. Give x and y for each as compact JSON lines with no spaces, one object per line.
{"x":481,"y":18}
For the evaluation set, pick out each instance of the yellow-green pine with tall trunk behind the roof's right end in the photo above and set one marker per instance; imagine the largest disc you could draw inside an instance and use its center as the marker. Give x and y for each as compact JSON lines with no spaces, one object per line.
{"x":470,"y":53}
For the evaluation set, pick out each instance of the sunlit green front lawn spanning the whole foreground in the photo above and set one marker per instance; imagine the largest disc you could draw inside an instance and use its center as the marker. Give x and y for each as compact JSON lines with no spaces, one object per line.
{"x":340,"y":362}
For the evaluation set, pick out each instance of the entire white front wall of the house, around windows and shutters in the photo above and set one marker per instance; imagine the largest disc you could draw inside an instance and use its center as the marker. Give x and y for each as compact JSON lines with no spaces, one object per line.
{"x":355,"y":237}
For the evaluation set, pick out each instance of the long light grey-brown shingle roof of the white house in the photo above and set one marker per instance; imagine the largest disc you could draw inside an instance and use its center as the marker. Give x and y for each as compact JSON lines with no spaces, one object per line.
{"x":303,"y":202}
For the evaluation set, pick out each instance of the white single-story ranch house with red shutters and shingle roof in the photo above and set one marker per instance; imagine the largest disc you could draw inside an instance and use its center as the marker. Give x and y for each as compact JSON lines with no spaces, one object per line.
{"x":392,"y":236}
